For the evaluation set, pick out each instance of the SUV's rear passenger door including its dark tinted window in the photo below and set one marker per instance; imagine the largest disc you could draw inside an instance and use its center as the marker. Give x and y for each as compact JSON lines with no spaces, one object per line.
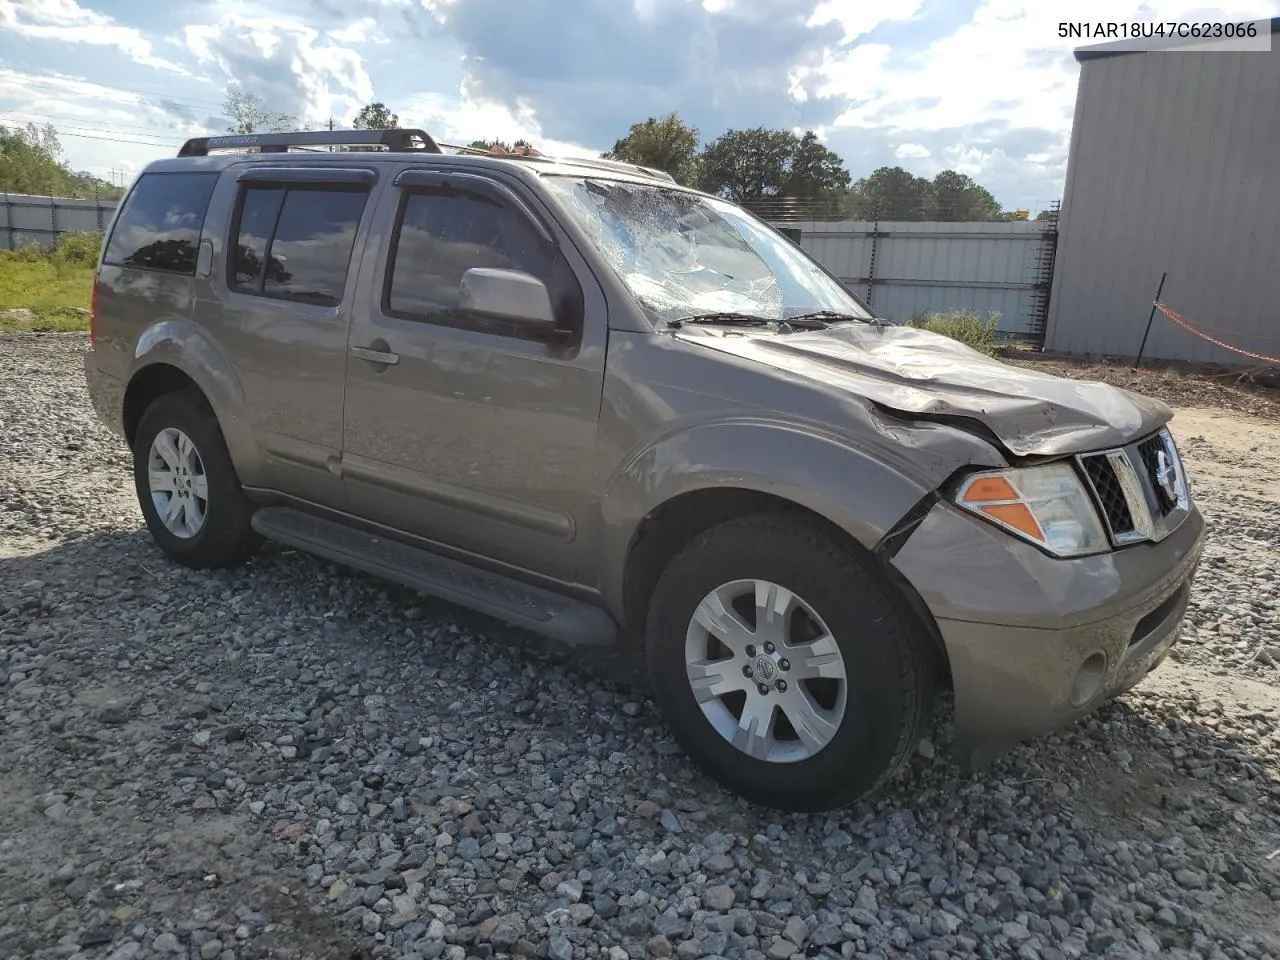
{"x":284,"y":308}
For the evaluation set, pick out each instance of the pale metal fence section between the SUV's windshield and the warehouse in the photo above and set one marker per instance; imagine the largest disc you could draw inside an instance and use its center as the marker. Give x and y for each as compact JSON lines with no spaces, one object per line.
{"x":903,"y":269}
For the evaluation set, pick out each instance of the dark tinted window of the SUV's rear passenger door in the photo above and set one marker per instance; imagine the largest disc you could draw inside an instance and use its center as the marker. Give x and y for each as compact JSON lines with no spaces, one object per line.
{"x":296,"y":243}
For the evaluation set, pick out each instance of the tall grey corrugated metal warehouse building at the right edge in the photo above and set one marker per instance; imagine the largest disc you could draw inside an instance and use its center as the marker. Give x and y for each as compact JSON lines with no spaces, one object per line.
{"x":1174,"y":167}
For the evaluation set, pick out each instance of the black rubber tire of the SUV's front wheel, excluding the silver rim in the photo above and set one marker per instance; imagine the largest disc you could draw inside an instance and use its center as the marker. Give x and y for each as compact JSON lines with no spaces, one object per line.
{"x":889,"y":664}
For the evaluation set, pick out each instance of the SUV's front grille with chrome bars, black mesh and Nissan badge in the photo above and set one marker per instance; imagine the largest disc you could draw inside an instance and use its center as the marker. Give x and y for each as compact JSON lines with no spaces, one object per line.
{"x":1141,"y":488}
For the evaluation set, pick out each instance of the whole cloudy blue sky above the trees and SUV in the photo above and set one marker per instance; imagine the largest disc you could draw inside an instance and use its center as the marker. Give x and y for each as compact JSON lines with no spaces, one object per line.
{"x":986,"y":88}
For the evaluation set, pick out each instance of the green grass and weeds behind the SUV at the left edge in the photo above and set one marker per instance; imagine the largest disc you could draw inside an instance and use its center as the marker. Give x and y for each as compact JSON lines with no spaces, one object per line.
{"x":44,"y":291}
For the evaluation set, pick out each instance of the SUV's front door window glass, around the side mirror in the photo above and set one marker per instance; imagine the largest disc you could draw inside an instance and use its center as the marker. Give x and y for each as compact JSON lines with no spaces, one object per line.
{"x":444,"y":232}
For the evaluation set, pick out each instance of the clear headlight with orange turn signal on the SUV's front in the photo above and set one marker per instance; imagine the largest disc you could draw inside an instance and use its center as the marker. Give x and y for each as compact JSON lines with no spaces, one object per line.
{"x":1046,"y":505}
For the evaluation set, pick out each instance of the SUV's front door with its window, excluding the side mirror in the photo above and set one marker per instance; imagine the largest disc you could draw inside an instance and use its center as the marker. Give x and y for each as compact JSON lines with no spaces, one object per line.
{"x":465,"y":431}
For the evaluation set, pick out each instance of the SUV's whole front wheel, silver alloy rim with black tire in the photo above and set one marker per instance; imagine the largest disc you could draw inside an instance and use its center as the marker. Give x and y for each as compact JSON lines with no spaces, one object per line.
{"x":785,"y":665}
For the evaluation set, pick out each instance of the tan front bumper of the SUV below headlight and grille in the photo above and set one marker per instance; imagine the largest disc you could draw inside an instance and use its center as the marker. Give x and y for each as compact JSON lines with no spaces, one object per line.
{"x":1036,"y":643}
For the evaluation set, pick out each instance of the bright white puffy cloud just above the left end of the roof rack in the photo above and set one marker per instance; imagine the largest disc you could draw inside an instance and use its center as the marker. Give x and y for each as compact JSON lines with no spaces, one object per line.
{"x":286,"y":62}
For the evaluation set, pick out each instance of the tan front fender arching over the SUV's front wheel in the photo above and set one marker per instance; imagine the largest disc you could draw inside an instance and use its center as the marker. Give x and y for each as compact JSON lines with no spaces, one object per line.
{"x":863,"y":492}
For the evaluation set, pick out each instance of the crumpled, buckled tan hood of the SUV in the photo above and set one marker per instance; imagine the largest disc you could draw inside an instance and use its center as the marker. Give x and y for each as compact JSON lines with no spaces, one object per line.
{"x":915,"y":372}
